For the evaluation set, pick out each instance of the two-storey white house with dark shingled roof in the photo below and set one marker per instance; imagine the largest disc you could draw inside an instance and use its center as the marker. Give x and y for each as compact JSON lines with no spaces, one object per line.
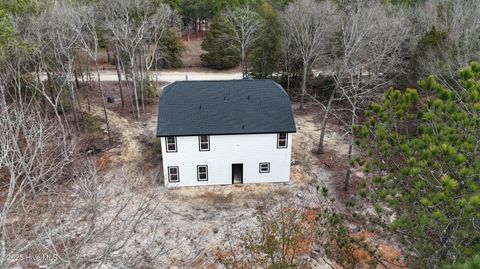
{"x":225,"y":132}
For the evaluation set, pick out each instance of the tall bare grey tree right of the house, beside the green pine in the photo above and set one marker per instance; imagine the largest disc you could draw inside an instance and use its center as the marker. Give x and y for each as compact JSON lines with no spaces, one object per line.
{"x":373,"y":44}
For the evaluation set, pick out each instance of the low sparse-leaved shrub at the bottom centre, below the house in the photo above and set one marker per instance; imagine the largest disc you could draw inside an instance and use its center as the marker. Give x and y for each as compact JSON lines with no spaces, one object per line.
{"x":273,"y":243}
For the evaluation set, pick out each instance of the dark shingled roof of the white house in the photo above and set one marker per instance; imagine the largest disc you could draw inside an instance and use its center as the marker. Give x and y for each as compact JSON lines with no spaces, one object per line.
{"x":224,"y":107}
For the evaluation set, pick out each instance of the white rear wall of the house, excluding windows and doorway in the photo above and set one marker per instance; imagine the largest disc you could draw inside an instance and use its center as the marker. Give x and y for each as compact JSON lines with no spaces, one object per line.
{"x":225,"y":150}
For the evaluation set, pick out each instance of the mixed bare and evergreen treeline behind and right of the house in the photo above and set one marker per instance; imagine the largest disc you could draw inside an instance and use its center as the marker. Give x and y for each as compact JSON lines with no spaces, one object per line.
{"x":346,"y":52}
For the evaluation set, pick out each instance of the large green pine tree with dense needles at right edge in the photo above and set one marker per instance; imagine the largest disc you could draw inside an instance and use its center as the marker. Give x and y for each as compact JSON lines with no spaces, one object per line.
{"x":425,"y":146}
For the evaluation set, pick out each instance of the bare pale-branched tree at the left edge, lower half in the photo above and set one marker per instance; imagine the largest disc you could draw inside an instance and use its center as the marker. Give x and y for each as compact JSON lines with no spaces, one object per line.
{"x":32,"y":159}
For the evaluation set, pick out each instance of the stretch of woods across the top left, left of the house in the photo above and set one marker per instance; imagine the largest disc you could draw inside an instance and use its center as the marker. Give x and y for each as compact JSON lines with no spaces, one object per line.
{"x":51,"y":50}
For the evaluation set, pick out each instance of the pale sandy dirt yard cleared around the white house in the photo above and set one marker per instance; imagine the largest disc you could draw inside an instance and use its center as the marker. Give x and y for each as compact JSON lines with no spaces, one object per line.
{"x":188,"y":224}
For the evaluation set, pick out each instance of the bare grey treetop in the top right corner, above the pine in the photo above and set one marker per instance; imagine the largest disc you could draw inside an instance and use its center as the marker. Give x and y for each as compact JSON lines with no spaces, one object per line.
{"x":453,"y":25}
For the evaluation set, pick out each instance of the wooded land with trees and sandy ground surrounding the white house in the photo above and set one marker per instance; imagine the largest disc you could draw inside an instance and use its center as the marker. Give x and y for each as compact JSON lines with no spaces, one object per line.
{"x":386,"y":170}
